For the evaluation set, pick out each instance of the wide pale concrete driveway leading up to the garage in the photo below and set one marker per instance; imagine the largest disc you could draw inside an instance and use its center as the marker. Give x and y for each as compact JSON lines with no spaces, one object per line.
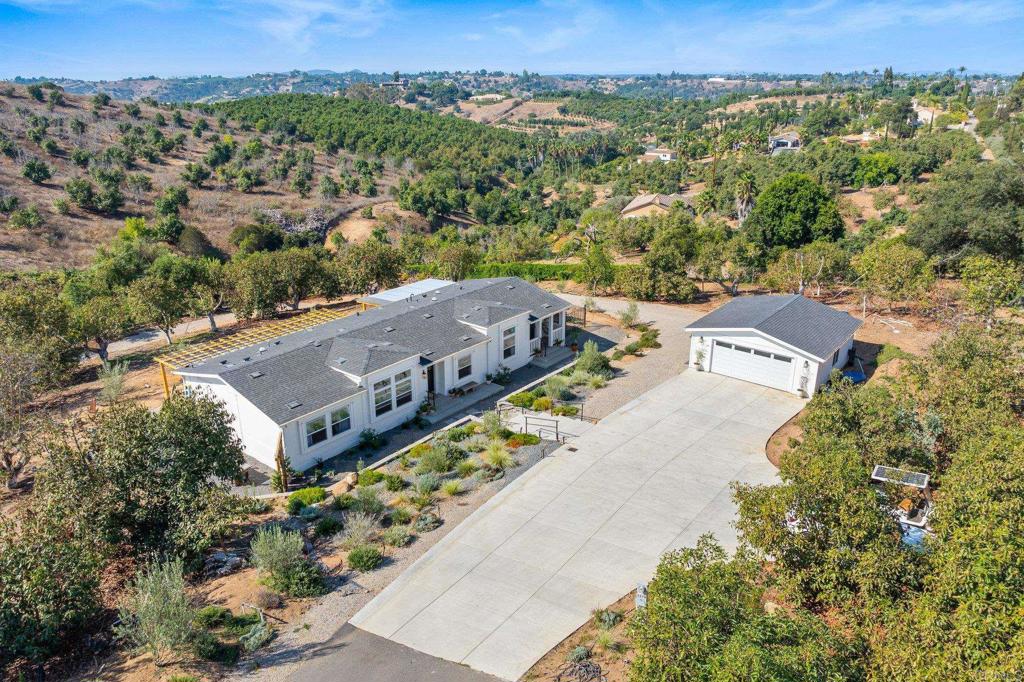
{"x":584,"y":527}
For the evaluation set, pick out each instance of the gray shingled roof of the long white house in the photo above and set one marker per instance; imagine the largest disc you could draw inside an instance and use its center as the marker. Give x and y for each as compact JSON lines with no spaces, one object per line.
{"x":306,"y":368}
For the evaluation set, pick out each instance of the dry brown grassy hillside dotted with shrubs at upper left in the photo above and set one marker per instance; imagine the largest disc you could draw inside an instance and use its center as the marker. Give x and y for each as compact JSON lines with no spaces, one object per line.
{"x":72,"y":240}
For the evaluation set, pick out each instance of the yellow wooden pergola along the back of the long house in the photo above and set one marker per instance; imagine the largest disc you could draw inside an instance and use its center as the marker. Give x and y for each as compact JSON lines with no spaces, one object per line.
{"x":201,"y":353}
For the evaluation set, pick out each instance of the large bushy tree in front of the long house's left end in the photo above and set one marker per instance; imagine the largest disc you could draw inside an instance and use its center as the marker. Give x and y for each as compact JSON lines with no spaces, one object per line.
{"x":143,"y":482}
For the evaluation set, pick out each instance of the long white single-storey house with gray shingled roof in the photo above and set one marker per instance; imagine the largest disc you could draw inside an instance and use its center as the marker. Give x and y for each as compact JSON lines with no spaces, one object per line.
{"x":315,"y":391}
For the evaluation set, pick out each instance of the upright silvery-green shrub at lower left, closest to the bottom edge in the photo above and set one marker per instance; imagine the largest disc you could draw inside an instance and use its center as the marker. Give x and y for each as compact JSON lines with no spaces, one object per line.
{"x":158,"y":616}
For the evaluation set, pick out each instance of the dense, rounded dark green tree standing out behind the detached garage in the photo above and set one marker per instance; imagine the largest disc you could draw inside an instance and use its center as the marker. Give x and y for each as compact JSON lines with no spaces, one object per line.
{"x":793,"y":211}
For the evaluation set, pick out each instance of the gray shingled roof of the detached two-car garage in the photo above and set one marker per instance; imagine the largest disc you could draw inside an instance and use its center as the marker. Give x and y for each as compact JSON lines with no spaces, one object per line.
{"x":799,"y":322}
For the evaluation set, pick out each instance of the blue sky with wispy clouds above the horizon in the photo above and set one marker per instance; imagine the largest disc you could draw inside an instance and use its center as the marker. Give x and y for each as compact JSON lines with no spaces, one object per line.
{"x":109,"y":39}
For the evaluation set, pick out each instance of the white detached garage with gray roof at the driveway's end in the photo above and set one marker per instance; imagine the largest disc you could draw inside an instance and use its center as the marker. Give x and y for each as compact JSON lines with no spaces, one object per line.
{"x":787,"y":343}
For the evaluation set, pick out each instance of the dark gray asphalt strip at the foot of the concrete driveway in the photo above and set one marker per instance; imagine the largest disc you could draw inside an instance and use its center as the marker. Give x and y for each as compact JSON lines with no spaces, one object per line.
{"x":356,"y":656}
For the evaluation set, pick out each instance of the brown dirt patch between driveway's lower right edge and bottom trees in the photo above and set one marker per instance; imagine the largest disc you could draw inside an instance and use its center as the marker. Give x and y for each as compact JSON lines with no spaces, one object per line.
{"x":614,"y":662}
